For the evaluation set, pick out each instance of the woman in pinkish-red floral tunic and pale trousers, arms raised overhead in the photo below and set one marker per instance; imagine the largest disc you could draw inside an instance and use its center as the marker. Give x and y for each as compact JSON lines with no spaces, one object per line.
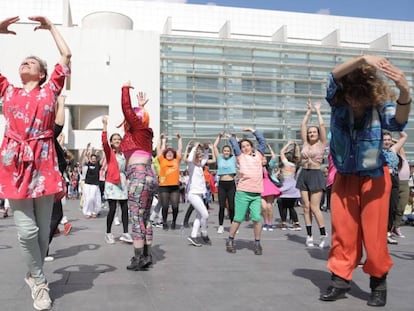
{"x":29,"y":174}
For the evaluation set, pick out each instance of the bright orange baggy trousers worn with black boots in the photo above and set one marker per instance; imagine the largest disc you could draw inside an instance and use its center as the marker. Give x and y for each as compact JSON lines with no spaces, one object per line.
{"x":359,"y":211}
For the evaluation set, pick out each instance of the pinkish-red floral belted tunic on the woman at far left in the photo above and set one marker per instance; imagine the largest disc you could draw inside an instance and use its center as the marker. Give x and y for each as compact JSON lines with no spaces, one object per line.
{"x":28,"y":161}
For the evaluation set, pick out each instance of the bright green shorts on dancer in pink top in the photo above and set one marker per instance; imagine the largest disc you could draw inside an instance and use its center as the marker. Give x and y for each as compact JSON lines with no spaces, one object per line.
{"x":247,"y":200}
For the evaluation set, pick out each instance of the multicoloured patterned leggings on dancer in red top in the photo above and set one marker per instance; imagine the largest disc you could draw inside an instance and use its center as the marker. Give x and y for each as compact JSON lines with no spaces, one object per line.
{"x":141,"y":189}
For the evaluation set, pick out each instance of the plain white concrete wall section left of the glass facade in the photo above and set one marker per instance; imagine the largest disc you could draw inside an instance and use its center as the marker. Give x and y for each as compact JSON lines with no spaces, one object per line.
{"x":103,"y":60}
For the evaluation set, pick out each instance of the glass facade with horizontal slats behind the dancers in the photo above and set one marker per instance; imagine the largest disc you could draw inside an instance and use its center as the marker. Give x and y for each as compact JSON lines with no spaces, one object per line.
{"x":212,"y":85}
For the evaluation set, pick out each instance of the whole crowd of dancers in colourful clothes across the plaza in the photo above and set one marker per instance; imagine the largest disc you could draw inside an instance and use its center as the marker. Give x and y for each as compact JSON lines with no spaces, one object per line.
{"x":367,"y":187}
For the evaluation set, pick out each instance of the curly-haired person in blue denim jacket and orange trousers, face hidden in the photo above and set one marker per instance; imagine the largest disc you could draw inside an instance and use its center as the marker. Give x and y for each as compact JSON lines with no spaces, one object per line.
{"x":361,"y":107}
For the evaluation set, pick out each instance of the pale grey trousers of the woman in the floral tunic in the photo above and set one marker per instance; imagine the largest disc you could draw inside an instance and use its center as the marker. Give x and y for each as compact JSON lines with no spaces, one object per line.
{"x":32,"y":220}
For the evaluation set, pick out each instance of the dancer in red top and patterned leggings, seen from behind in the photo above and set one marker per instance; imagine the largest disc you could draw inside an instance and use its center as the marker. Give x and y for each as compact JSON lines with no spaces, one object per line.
{"x":137,"y":148}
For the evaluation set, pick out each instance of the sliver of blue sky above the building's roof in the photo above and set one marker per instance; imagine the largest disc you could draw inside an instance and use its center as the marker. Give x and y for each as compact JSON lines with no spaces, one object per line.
{"x":383,"y":9}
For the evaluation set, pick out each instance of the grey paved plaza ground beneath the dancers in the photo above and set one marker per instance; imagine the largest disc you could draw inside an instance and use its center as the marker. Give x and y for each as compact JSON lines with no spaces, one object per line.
{"x":88,"y":274}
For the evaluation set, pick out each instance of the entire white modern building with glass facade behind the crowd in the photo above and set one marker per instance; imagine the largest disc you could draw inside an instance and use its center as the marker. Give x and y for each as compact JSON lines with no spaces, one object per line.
{"x":206,"y":69}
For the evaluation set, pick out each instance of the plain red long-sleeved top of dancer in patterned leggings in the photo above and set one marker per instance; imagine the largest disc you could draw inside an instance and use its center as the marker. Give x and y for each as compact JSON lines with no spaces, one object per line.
{"x":137,"y":136}
